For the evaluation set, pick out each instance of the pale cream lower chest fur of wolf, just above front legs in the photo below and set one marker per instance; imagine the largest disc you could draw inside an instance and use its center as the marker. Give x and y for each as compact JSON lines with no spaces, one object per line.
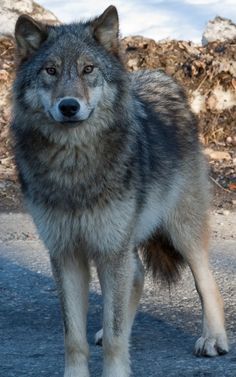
{"x":100,"y":230}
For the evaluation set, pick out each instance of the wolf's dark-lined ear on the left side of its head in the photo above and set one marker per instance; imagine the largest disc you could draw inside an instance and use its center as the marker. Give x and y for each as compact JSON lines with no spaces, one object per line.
{"x":29,"y":35}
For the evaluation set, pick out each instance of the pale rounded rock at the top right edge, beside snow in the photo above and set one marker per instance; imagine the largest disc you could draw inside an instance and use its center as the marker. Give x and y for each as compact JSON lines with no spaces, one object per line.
{"x":219,"y":29}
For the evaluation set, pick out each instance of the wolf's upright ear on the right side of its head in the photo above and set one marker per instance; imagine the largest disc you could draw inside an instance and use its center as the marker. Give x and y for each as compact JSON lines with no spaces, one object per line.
{"x":105,"y":29}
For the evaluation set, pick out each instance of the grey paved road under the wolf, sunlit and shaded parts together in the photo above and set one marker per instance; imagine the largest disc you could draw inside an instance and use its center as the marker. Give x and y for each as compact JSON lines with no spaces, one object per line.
{"x":165,"y":329}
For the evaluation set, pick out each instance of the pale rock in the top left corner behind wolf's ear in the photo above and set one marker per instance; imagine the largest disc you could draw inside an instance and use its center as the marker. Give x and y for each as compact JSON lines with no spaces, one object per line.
{"x":11,"y":9}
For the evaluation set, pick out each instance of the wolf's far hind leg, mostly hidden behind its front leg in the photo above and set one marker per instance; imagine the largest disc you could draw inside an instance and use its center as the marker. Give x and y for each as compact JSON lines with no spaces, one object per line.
{"x":136,"y":293}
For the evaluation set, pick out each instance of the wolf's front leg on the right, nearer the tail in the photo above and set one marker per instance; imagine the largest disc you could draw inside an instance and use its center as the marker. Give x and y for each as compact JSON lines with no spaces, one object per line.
{"x":116,"y":274}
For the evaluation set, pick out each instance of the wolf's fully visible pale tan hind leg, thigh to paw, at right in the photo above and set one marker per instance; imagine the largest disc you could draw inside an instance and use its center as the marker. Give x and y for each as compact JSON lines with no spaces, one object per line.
{"x":191,"y":239}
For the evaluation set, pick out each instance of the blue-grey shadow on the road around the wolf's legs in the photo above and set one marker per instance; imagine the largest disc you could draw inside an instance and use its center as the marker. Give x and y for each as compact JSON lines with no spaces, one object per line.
{"x":32,"y":336}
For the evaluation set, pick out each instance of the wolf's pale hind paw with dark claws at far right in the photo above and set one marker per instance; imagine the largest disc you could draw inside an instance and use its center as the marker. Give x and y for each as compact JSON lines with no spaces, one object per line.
{"x":211,"y":346}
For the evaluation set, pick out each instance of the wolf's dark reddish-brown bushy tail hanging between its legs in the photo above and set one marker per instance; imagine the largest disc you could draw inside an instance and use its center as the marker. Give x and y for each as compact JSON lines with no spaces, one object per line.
{"x":162,"y":259}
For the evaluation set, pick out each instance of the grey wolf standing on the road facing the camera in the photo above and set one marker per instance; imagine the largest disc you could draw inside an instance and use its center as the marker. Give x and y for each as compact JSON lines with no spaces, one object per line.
{"x":113,"y":174}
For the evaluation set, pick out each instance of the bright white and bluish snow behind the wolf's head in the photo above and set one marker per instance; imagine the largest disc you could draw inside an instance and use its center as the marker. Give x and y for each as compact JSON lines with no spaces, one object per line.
{"x":157,"y":19}
